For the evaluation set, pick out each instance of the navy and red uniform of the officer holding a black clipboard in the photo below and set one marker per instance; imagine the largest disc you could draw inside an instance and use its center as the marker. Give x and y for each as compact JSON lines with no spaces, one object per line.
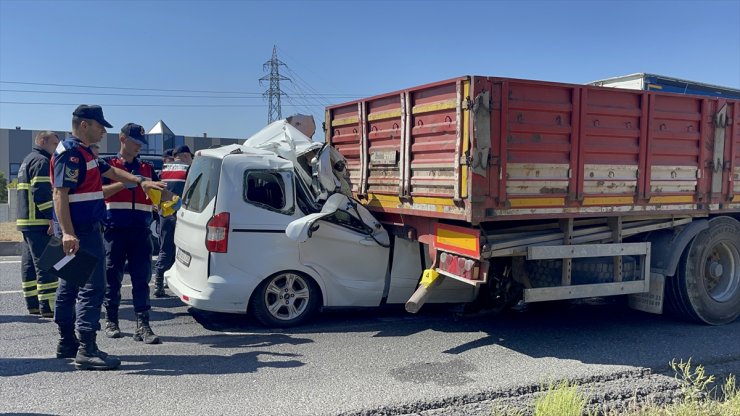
{"x":75,"y":167}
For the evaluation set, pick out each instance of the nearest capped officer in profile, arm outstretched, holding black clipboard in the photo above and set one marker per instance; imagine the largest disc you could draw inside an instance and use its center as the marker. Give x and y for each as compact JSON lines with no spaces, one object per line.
{"x":79,"y":209}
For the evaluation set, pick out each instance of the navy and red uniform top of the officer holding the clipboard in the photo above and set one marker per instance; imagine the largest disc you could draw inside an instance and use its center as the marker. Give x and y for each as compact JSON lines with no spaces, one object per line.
{"x":75,"y":167}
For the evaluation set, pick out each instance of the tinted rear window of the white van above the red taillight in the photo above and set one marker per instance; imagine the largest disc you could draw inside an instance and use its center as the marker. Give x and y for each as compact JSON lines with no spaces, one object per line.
{"x":202,"y":183}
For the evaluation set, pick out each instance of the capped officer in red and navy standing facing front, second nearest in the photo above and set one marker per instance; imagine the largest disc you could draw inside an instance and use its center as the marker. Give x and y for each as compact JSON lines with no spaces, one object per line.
{"x":127,"y":235}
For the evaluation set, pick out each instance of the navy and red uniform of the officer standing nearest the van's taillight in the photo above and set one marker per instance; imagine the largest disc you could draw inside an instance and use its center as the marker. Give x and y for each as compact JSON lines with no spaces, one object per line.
{"x":128,"y":237}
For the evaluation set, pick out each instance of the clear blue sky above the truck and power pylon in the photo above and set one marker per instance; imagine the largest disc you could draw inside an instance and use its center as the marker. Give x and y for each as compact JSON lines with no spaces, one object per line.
{"x":335,"y":51}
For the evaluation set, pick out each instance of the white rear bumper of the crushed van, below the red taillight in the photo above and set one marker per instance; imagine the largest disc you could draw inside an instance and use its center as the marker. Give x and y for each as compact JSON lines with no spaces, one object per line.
{"x":217,"y":296}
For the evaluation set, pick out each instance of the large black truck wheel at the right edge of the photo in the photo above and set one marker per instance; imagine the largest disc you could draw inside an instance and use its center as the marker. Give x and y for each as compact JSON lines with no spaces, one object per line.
{"x":706,"y":287}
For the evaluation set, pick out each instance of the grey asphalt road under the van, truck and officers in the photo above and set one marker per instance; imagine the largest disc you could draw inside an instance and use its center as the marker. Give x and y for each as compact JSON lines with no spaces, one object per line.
{"x":345,"y":362}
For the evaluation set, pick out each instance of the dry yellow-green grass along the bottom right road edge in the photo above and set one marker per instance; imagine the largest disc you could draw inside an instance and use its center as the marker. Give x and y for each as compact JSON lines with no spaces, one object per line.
{"x":699,"y":398}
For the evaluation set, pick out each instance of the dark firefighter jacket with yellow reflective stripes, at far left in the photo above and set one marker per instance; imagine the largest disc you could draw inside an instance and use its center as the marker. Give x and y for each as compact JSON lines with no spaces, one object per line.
{"x":35,"y":204}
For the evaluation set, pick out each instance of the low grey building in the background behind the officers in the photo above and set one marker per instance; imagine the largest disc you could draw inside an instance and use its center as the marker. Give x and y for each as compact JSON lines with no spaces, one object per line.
{"x":16,"y":143}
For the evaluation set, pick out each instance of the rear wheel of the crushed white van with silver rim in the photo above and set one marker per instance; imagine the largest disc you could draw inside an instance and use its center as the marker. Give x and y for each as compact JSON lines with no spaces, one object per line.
{"x":285,"y":299}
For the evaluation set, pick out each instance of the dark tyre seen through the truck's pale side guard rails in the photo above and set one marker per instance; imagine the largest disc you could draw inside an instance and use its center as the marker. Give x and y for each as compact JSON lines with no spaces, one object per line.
{"x":548,"y":273}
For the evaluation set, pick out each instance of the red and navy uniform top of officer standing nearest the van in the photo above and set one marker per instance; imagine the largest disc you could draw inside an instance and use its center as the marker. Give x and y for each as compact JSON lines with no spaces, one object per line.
{"x":129,"y":207}
